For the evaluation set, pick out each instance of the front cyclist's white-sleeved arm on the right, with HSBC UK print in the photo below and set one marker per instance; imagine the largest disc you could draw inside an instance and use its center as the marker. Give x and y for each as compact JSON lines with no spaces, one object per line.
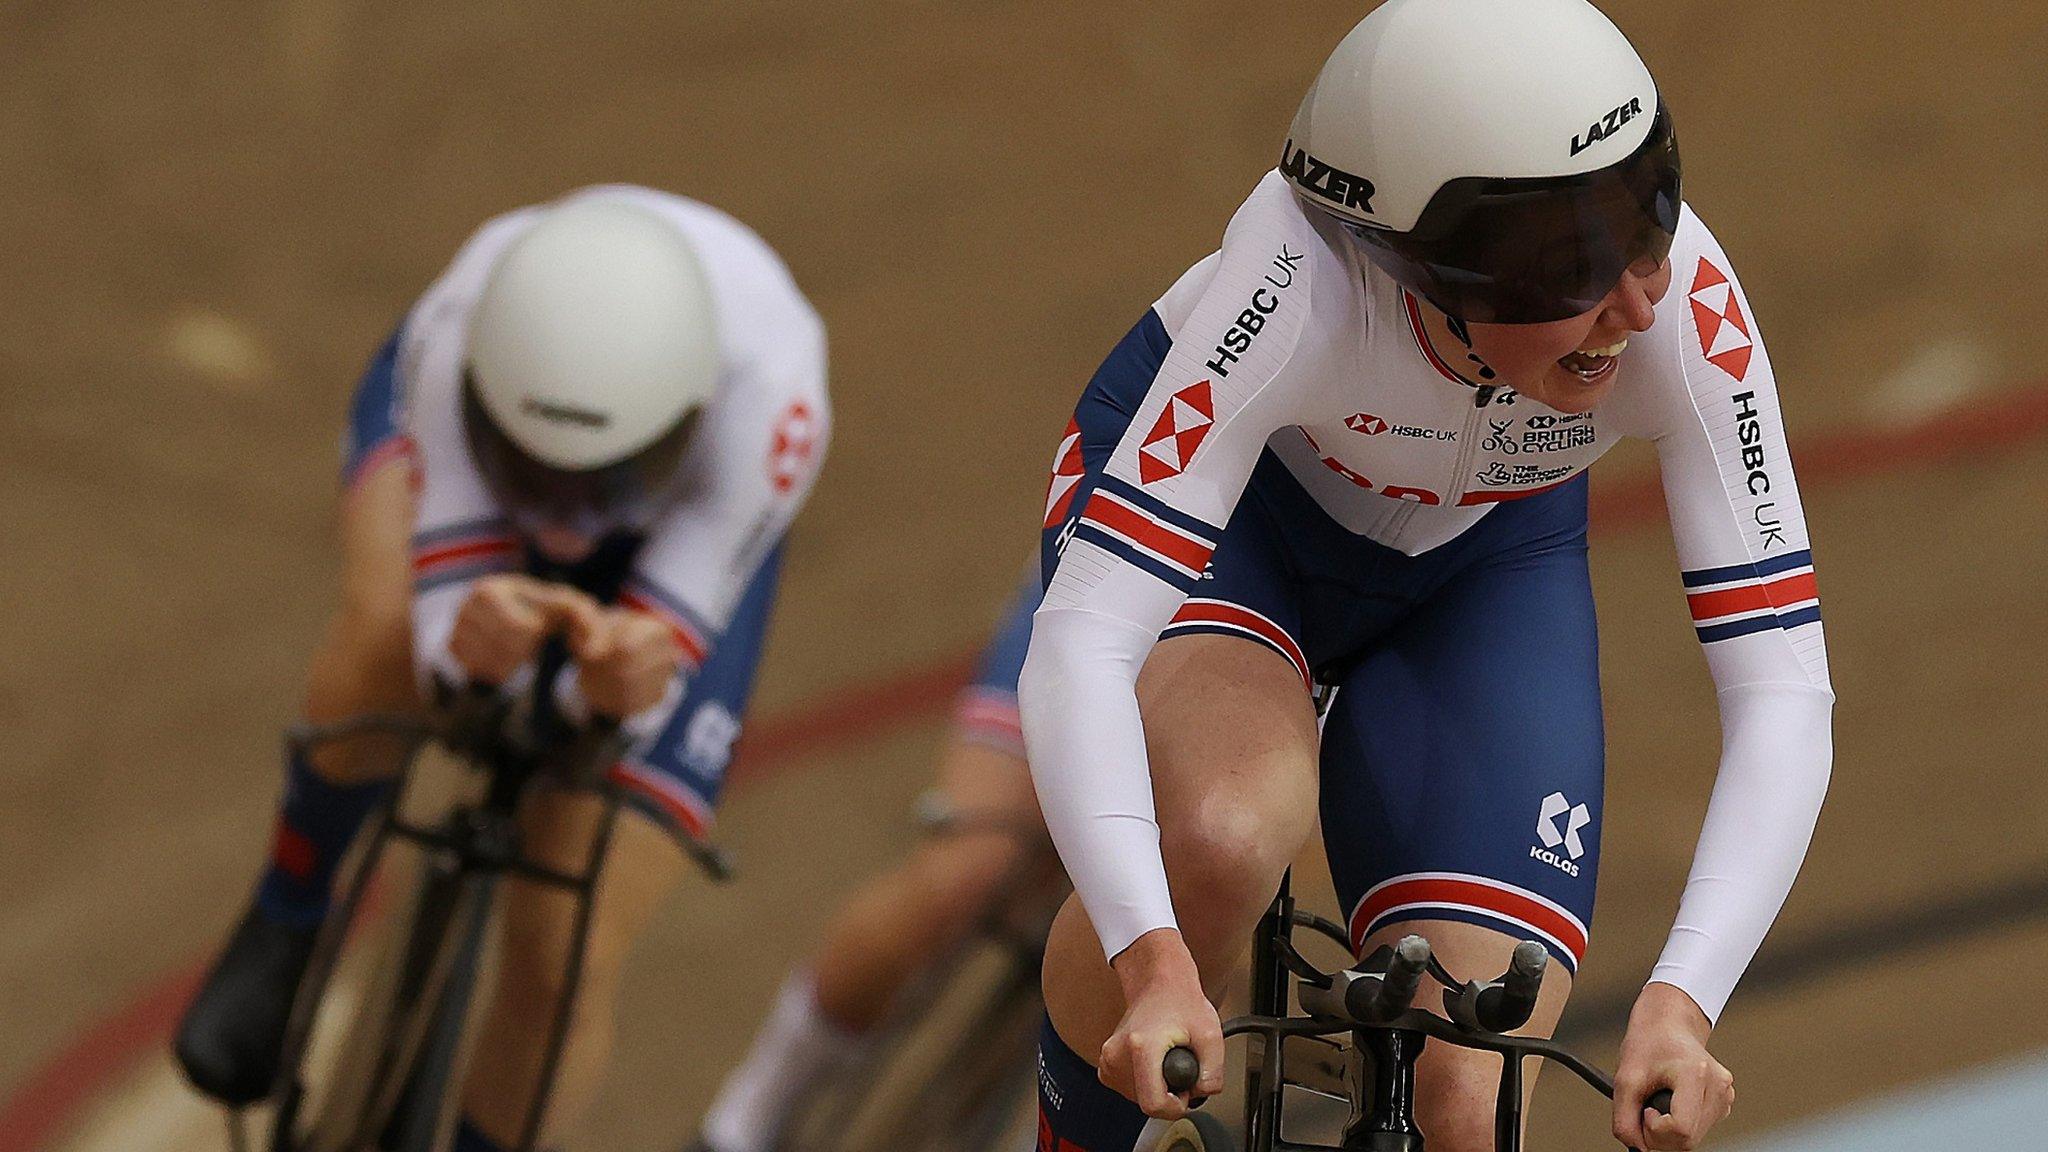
{"x":1748,"y":573}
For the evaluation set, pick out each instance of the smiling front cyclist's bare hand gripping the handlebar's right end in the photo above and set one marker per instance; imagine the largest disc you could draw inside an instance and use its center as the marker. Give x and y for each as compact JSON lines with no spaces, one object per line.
{"x":1666,"y":1048}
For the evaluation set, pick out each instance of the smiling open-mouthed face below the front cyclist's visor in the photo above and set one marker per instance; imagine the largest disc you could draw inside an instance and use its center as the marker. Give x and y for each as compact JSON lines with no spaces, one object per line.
{"x":1549,"y":362}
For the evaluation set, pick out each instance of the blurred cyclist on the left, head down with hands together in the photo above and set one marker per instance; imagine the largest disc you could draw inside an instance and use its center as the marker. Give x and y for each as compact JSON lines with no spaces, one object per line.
{"x":595,"y":425}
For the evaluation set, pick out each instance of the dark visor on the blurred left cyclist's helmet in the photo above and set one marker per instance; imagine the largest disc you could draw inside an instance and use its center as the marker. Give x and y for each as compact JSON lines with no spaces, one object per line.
{"x":560,"y":493}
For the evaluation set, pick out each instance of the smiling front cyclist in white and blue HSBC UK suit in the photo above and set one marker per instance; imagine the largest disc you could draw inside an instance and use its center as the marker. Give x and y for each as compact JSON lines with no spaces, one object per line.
{"x":1349,"y":450}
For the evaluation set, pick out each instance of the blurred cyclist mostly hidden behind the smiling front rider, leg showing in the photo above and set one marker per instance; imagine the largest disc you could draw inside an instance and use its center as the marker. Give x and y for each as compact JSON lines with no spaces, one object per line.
{"x":898,"y":921}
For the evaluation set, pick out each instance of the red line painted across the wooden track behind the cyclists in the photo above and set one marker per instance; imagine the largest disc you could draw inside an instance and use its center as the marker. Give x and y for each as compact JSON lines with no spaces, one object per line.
{"x":50,"y":1098}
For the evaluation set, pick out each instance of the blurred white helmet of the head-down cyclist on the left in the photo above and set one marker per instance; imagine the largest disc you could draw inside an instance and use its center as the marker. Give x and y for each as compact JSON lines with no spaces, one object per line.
{"x":591,"y":349}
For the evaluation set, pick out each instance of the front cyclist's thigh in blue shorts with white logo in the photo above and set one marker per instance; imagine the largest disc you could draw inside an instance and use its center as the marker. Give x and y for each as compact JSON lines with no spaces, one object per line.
{"x":1463,"y":757}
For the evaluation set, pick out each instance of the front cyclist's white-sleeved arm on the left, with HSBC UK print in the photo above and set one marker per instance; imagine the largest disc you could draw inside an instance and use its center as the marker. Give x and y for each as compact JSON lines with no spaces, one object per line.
{"x":1132,"y":557}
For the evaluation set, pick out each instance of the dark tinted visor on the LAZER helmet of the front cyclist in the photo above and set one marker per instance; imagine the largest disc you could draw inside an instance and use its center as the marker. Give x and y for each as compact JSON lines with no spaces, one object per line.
{"x":1527,"y":251}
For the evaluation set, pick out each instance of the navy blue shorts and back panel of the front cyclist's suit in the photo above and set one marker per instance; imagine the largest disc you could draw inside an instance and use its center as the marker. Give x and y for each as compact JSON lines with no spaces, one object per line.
{"x":1463,"y":751}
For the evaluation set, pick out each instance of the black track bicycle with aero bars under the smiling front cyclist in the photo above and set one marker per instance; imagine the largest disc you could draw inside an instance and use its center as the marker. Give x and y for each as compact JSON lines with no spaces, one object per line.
{"x":1357,"y":1040}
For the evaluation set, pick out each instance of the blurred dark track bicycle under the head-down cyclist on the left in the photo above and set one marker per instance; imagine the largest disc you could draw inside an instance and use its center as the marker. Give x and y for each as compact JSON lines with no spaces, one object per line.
{"x":396,"y":1083}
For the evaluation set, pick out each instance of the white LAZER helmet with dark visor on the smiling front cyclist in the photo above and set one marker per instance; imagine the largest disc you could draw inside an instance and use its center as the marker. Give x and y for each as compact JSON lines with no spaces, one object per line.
{"x":1504,"y":159}
